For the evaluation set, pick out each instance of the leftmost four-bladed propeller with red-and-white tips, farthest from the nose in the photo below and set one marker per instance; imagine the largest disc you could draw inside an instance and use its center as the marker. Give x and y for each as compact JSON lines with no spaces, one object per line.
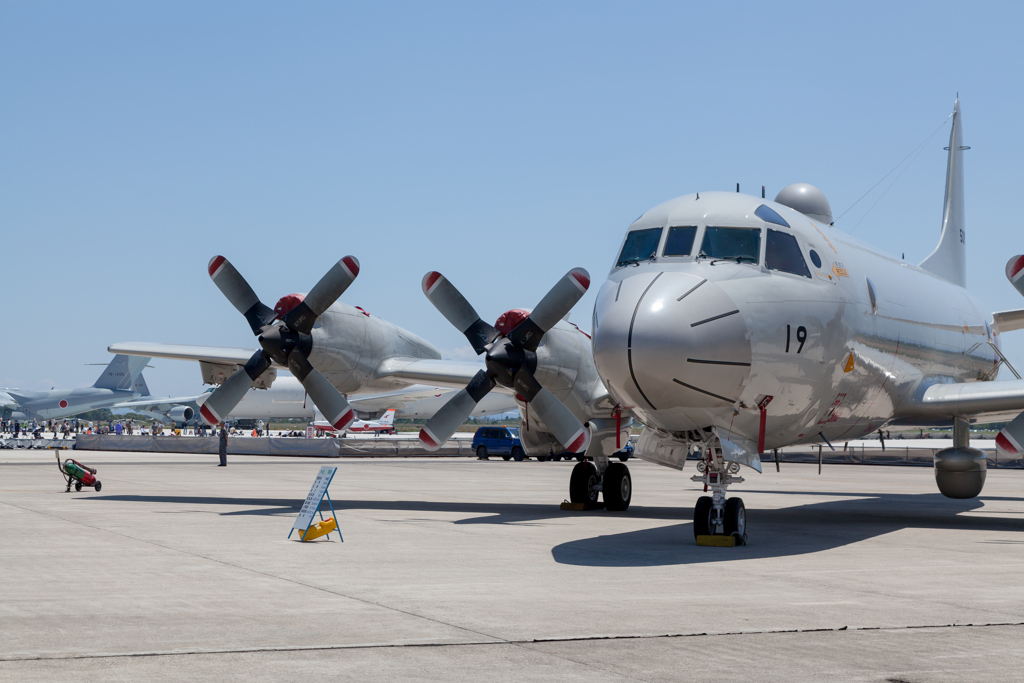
{"x":286,"y":343}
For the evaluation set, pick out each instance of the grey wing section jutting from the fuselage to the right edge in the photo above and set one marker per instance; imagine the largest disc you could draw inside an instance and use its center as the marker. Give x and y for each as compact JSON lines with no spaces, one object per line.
{"x":989,"y":402}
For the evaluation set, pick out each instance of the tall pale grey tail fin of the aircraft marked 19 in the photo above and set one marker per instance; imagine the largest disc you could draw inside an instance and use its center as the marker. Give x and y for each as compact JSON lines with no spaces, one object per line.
{"x":950,"y":259}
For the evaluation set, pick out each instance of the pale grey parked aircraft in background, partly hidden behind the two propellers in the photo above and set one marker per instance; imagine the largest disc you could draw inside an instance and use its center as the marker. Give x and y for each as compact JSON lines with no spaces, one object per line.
{"x":287,"y":400}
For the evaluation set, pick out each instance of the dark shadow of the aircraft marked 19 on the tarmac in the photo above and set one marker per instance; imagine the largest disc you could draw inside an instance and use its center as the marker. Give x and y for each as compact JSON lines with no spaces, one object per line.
{"x":794,"y":531}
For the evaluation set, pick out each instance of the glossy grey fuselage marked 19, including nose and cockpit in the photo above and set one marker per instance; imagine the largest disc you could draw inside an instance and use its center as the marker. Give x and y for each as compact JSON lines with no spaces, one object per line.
{"x":841,"y":336}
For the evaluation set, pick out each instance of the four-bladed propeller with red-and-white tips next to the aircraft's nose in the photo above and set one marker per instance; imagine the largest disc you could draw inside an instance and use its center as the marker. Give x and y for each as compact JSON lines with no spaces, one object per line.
{"x":510,"y":358}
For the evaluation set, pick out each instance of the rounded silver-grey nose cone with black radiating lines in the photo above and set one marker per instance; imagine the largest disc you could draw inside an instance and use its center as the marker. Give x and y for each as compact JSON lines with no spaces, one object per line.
{"x":669,"y":341}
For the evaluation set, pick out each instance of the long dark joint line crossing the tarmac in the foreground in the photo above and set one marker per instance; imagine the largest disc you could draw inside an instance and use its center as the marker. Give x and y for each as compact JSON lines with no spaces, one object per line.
{"x":518,"y":643}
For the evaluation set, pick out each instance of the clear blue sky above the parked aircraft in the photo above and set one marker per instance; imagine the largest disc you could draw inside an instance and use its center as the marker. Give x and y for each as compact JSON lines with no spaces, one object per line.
{"x":501,"y":144}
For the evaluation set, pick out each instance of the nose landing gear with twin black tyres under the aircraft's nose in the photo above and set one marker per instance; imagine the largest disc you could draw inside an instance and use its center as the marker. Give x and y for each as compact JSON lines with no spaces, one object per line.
{"x":714,"y":516}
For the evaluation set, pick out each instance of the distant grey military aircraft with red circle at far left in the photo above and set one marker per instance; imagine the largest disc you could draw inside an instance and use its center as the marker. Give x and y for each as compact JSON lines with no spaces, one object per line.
{"x":121,"y":380}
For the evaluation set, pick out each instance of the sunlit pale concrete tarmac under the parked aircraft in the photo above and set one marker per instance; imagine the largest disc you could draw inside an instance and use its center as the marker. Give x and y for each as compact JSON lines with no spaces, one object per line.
{"x":456,"y":570}
